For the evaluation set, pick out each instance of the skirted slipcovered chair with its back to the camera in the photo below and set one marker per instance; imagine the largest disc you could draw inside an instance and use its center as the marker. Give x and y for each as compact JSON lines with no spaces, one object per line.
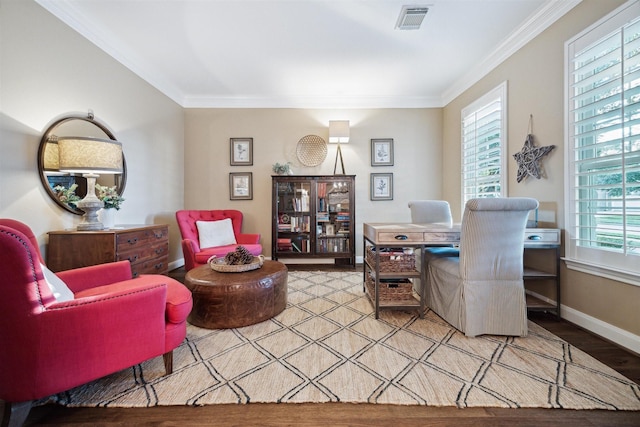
{"x":482,"y":290}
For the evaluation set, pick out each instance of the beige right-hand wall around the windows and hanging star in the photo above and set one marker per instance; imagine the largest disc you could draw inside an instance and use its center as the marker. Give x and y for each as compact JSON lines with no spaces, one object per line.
{"x":535,"y":76}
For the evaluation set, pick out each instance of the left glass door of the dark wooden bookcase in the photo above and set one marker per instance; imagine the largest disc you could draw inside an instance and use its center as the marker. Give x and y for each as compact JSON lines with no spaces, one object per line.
{"x":293,"y":217}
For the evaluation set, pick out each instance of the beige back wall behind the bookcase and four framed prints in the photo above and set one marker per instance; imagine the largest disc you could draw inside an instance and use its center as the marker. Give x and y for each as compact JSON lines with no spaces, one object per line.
{"x":416,"y":172}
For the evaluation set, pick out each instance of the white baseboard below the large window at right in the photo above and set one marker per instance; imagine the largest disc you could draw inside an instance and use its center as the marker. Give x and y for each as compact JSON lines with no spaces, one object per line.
{"x":605,"y":330}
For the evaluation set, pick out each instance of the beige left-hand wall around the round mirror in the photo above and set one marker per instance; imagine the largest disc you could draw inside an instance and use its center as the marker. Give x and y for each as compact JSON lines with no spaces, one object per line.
{"x":47,"y":70}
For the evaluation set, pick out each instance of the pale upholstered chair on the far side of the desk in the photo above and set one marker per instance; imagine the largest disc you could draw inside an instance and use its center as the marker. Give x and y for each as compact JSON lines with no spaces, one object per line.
{"x":429,"y":212}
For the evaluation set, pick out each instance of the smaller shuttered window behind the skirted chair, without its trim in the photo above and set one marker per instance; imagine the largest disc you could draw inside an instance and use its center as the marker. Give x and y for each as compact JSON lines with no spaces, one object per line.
{"x":484,"y":145}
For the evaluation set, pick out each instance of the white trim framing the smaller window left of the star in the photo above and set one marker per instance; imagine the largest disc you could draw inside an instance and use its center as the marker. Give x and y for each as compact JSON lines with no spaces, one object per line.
{"x":500,"y":92}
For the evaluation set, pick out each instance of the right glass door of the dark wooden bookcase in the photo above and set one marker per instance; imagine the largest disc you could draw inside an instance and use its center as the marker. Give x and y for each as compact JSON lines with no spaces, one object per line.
{"x":333,"y":216}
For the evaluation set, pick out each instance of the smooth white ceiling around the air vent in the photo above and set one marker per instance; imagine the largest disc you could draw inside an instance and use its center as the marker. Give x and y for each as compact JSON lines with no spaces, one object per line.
{"x":308,"y":53}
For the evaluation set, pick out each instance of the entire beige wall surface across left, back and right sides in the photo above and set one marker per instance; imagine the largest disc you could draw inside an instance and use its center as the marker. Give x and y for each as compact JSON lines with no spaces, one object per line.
{"x":180,"y":158}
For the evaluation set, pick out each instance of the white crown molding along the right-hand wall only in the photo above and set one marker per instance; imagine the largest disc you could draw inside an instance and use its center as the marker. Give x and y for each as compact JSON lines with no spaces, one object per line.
{"x":539,"y":21}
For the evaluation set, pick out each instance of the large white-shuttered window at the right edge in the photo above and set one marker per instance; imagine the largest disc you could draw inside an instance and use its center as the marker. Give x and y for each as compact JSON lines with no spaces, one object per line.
{"x":603,"y":147}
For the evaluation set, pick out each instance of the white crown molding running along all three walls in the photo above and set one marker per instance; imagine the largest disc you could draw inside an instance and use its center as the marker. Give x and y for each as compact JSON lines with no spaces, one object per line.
{"x":546,"y":15}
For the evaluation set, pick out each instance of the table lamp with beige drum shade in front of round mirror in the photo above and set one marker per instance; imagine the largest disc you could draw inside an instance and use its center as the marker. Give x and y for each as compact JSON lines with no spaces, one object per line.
{"x":91,"y":157}
